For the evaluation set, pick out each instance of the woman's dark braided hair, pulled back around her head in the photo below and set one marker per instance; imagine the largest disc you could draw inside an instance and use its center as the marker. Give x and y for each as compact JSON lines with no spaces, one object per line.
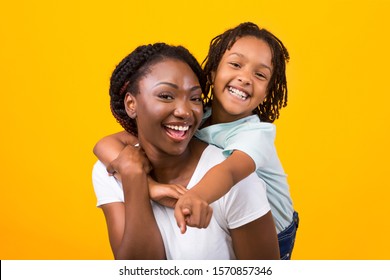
{"x":126,"y":76}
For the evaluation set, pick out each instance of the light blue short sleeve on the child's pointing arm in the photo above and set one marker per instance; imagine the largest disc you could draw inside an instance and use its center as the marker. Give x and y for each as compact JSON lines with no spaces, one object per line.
{"x":254,"y":139}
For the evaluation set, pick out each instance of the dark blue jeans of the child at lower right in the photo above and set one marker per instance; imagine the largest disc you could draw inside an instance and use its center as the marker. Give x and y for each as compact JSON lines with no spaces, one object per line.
{"x":286,"y":238}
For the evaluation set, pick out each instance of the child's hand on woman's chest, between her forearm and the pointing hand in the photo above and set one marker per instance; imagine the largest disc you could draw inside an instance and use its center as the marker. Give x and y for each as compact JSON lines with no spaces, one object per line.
{"x":164,"y":194}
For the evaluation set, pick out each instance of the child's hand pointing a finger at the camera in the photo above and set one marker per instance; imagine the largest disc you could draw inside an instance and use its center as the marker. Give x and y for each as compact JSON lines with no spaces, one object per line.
{"x":191,"y":210}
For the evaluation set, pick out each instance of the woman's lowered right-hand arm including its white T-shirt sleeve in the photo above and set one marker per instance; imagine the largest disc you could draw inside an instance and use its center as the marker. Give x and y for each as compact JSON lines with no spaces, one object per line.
{"x":250,"y":221}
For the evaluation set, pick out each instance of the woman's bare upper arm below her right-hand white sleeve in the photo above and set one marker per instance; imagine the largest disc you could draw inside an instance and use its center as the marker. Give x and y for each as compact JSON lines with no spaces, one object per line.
{"x":256,"y":240}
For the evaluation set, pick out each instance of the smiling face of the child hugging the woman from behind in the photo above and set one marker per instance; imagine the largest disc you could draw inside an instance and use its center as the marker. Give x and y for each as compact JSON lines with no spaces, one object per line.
{"x":241,"y":79}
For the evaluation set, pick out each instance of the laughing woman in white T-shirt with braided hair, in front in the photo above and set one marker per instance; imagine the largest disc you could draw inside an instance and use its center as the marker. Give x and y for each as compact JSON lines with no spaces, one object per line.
{"x":156,"y":95}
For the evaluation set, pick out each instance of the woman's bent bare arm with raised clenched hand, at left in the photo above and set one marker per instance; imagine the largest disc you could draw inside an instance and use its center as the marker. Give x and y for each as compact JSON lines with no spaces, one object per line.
{"x":132,"y":228}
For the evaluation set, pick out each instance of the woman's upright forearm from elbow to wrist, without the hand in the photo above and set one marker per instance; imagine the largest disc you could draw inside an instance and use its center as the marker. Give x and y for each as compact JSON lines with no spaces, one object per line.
{"x":141,"y":236}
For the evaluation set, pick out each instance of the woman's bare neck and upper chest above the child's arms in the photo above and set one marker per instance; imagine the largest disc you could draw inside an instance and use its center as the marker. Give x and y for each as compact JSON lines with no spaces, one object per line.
{"x":178,"y":169}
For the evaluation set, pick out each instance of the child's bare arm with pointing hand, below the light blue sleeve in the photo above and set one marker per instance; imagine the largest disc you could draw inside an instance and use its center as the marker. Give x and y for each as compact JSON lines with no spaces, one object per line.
{"x":191,"y":208}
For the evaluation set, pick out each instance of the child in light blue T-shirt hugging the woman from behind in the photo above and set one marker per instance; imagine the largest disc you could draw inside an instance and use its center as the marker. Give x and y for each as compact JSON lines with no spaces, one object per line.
{"x":245,"y":68}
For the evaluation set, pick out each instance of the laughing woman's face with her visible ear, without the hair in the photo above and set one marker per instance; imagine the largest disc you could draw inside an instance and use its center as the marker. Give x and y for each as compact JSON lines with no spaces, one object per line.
{"x":168,"y":107}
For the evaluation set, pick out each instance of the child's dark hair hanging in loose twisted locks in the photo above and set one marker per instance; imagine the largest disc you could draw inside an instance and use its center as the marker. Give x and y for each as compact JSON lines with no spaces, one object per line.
{"x":276,"y":97}
